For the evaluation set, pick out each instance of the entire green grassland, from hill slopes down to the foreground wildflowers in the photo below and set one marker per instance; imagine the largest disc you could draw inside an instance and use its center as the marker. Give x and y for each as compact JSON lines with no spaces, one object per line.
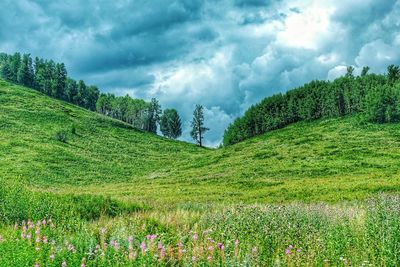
{"x":308,"y":194}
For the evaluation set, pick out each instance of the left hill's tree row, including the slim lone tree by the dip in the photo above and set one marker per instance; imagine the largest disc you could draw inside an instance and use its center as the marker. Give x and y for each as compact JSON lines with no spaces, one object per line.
{"x":52,"y":79}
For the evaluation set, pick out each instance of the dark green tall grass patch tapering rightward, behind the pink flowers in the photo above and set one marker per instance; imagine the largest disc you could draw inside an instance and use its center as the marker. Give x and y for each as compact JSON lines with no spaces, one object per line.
{"x":19,"y":203}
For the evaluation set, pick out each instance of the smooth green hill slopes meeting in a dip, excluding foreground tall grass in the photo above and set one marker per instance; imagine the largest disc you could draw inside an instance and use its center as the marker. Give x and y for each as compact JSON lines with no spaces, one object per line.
{"x":325,"y":160}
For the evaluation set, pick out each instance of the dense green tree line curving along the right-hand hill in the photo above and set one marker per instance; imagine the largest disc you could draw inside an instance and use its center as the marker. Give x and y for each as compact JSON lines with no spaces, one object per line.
{"x":376,"y":96}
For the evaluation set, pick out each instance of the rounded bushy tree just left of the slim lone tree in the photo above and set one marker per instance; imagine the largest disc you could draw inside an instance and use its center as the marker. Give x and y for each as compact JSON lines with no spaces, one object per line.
{"x":170,"y":124}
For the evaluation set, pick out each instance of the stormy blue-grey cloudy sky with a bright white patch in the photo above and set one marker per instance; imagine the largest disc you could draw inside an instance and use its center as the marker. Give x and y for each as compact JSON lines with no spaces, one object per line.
{"x":223,"y":54}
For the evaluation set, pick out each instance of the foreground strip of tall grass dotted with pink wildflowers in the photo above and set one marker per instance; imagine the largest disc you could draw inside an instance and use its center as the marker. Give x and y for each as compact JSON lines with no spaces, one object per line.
{"x":350,"y":234}
